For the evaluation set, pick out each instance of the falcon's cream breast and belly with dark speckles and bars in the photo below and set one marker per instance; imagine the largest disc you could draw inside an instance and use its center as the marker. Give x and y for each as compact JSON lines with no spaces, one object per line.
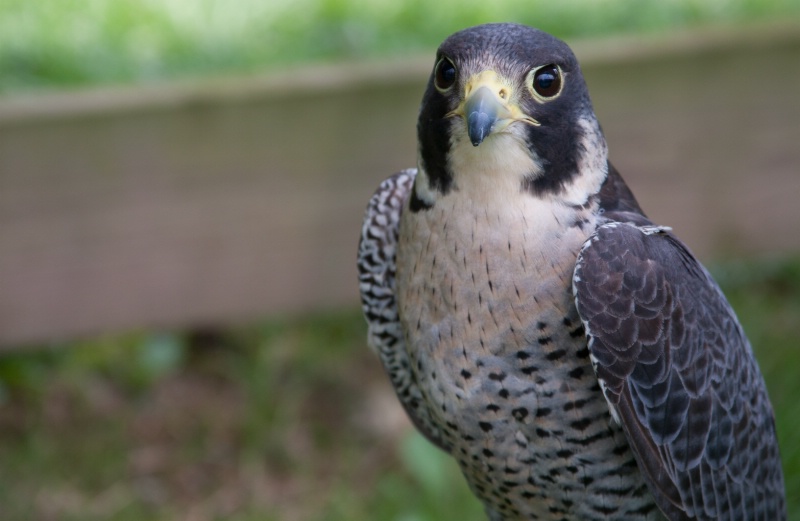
{"x":499,"y":354}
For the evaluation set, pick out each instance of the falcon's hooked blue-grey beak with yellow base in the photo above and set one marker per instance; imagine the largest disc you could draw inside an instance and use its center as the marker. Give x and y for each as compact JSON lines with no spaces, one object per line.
{"x":487,"y":108}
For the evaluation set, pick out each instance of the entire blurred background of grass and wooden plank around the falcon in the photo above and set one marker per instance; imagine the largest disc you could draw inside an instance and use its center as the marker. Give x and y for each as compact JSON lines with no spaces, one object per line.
{"x":181,"y":191}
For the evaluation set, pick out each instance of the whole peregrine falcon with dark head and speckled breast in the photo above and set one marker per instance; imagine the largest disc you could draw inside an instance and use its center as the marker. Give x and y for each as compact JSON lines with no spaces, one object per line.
{"x":574,"y":357}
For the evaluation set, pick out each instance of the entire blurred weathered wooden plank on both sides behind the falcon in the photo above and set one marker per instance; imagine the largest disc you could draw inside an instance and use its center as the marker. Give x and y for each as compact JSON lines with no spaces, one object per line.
{"x":223,"y":205}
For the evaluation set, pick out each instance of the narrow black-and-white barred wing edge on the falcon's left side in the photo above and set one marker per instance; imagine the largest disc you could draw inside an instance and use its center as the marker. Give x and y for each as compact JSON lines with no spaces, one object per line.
{"x":376,"y":273}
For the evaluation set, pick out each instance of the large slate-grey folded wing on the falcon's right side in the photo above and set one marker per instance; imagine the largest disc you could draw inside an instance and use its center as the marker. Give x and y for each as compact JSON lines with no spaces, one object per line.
{"x":679,"y":375}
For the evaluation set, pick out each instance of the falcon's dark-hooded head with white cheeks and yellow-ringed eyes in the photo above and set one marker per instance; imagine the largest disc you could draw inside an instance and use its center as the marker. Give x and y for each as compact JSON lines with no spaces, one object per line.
{"x":506,"y":108}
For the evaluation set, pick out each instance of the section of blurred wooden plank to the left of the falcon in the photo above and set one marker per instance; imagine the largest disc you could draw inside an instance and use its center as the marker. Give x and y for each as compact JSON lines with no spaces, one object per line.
{"x":190,"y":215}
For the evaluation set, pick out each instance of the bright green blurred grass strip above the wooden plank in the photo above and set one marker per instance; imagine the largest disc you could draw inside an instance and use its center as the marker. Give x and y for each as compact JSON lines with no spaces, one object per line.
{"x":51,"y":43}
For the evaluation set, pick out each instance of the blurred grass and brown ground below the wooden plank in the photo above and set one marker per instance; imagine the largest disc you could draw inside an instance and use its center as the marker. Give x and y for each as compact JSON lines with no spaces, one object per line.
{"x":288,"y":420}
